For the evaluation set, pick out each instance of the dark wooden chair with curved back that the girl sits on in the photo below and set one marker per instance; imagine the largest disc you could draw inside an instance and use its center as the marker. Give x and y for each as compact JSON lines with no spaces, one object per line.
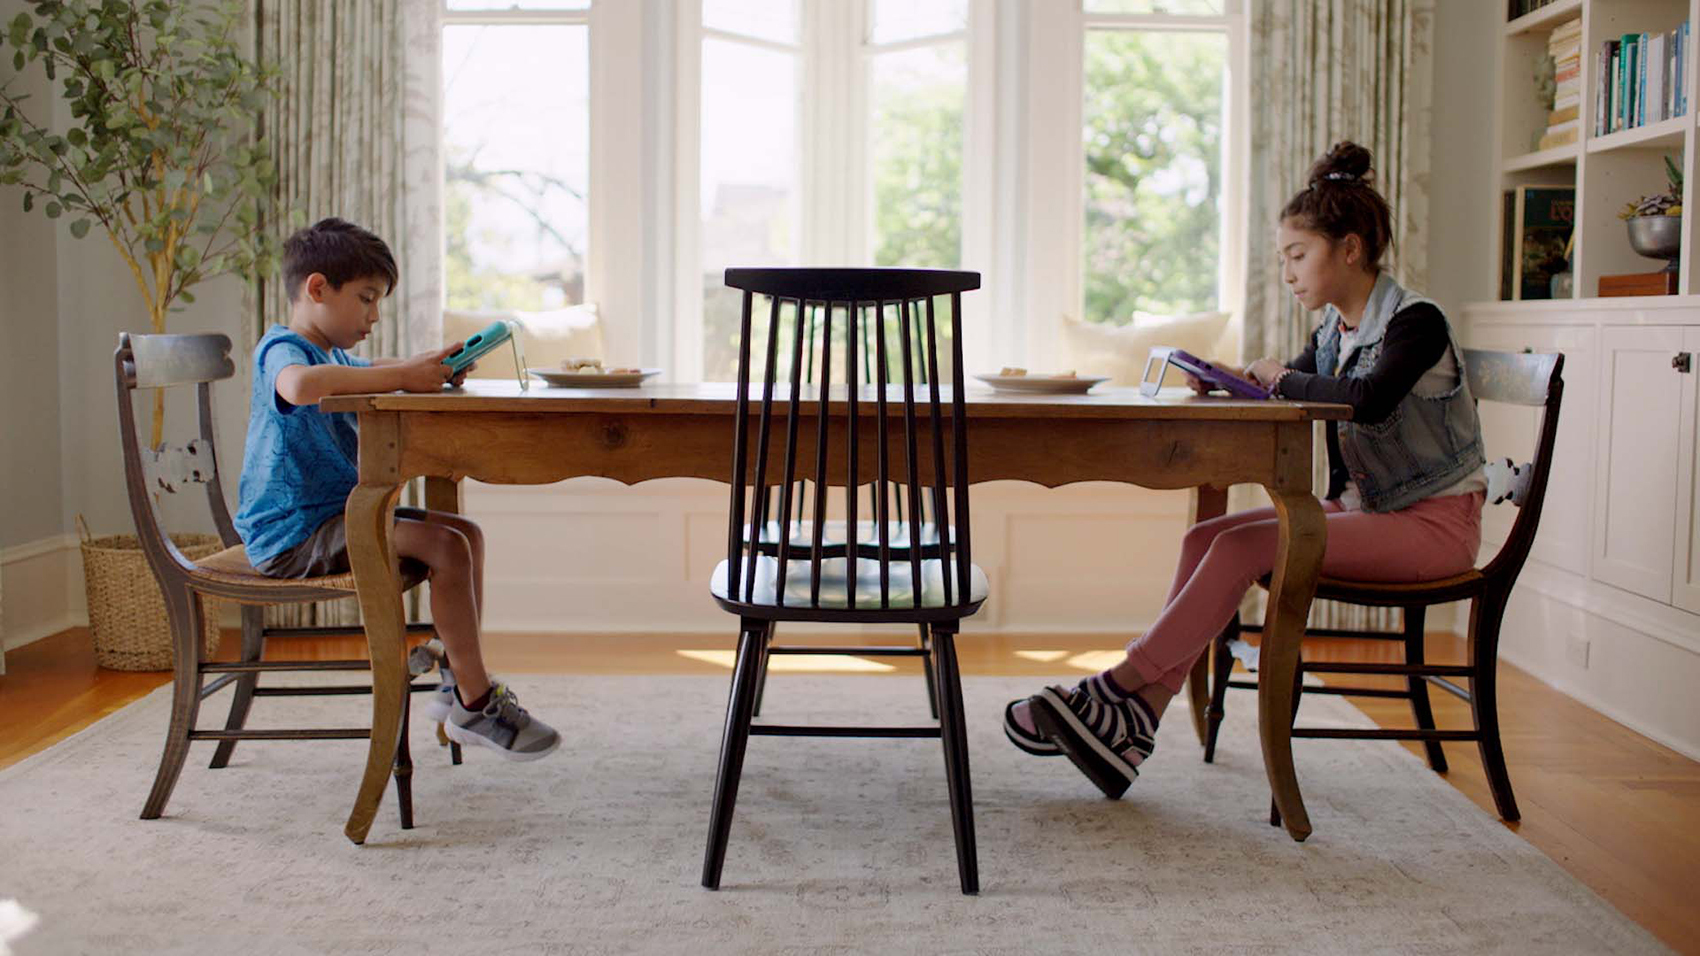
{"x":1516,"y":378}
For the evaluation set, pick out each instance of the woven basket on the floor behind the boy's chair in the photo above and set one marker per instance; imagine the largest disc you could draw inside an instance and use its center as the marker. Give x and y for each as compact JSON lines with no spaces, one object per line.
{"x":127,"y":612}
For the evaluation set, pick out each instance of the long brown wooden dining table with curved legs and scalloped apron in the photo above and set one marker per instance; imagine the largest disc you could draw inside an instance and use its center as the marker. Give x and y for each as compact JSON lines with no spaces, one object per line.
{"x":496,"y":431}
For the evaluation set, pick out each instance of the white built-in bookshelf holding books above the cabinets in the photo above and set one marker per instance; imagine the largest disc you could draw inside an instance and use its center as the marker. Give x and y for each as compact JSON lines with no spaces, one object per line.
{"x":1607,"y":171}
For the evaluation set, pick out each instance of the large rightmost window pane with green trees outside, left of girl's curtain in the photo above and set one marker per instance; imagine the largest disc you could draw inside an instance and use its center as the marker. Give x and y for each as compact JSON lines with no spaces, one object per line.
{"x":1153,"y":135}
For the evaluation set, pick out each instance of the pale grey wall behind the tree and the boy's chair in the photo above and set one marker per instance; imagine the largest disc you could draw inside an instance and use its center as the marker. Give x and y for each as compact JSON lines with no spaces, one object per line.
{"x":62,"y":305}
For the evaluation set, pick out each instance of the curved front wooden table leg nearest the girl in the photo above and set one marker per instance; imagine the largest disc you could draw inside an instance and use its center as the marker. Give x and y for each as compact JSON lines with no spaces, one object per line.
{"x":1298,"y":564}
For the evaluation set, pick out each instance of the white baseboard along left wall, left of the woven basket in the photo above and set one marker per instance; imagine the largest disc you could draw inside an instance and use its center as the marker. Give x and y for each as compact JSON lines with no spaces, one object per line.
{"x":42,"y":591}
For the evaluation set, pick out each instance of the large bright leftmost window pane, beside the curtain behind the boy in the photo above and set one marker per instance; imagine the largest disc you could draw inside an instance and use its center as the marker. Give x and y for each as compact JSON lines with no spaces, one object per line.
{"x":516,"y":166}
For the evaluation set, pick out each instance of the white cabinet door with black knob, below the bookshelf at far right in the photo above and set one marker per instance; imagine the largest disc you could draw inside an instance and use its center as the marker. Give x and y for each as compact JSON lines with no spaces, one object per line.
{"x":1641,"y":433}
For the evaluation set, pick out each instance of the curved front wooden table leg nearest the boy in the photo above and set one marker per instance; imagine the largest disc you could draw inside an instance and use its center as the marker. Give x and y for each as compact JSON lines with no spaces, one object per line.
{"x":371,"y":554}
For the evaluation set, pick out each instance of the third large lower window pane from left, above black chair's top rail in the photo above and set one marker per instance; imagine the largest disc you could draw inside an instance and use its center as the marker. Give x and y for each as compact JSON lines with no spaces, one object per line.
{"x":915,"y":144}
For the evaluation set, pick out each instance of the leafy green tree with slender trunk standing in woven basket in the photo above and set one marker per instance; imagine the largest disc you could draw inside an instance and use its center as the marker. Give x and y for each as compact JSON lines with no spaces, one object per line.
{"x":162,"y":154}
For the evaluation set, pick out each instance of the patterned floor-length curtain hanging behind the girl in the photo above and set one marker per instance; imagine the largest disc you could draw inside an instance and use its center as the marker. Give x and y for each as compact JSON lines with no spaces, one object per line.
{"x":1330,"y":71}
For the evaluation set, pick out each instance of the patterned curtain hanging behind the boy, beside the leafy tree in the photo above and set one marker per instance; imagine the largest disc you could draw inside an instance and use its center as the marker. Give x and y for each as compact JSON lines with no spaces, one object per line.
{"x":356,"y":135}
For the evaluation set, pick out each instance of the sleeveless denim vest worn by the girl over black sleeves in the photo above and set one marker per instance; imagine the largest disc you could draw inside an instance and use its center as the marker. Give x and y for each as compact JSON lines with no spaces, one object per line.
{"x":1429,"y":443}
